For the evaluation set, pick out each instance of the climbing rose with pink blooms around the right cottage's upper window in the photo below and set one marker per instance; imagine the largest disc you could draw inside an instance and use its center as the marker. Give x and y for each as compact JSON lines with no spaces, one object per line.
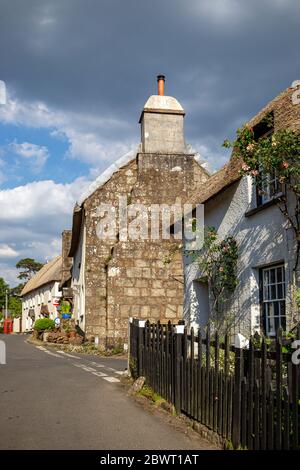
{"x":277,"y":155}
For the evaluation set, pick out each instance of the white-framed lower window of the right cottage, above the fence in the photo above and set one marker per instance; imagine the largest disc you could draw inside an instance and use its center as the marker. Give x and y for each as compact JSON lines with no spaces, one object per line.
{"x":273,"y":298}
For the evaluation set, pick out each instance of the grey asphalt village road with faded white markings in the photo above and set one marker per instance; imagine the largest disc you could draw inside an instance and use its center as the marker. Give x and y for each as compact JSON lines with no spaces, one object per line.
{"x":51,"y":400}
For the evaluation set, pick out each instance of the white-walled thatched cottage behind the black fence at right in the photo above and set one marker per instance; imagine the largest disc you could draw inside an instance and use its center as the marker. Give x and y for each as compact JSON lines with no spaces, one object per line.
{"x":263,"y":299}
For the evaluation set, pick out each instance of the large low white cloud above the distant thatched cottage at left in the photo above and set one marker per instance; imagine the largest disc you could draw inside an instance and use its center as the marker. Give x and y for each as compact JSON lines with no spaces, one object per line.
{"x":33,"y":216}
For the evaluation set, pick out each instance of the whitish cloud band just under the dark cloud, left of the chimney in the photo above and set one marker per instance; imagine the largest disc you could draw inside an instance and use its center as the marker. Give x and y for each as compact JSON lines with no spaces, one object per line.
{"x":85,"y":134}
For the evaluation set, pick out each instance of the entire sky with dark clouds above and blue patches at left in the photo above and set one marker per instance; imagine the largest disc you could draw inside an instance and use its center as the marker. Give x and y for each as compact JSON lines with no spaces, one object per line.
{"x":78,"y":73}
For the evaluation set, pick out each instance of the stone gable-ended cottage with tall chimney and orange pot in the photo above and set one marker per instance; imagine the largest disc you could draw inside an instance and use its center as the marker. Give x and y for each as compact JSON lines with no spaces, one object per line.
{"x":113,"y":279}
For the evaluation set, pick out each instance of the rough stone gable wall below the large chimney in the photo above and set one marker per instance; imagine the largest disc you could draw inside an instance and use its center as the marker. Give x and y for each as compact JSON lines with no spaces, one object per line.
{"x":136,"y":278}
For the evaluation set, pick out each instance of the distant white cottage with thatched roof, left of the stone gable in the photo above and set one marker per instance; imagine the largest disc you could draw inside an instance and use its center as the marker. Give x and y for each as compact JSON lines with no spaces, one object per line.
{"x":40,"y":294}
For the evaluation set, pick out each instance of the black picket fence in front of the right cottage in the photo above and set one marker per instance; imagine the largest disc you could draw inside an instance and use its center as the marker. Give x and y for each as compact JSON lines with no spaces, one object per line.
{"x":249,"y":396}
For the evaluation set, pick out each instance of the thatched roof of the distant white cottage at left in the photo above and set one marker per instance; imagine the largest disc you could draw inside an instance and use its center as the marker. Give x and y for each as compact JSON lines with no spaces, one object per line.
{"x":50,"y":272}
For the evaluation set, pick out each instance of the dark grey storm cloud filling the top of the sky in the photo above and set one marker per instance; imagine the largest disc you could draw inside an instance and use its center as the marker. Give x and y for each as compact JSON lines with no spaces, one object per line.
{"x":224,"y":59}
